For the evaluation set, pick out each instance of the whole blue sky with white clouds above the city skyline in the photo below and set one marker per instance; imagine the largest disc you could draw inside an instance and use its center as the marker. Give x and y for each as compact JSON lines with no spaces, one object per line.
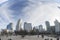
{"x":33,"y":11}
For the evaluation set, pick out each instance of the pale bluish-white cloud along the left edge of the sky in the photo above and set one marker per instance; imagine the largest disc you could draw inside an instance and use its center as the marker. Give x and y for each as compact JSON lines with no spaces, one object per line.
{"x":4,"y":17}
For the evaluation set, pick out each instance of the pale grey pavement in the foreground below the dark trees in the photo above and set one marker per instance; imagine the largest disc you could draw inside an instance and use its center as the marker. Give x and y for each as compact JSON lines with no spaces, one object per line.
{"x":35,"y":37}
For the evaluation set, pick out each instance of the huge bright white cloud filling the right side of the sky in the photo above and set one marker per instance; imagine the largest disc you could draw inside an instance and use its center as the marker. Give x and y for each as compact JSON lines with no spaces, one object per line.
{"x":40,"y":12}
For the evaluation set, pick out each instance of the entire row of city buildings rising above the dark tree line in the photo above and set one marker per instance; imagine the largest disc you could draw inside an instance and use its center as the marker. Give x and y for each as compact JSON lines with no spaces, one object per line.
{"x":28,"y":27}
